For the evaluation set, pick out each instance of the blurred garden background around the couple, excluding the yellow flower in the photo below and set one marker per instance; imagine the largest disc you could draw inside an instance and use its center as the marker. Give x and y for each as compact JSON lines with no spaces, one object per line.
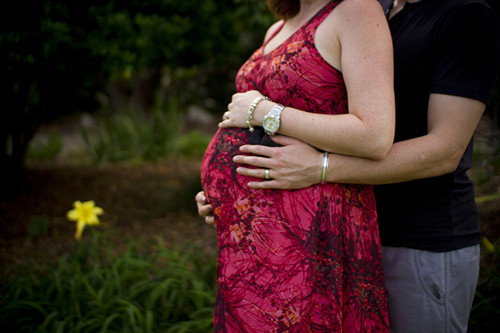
{"x":115,"y":101}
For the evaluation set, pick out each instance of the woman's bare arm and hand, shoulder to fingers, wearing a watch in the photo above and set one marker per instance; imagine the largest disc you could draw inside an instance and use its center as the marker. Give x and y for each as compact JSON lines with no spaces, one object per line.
{"x":356,"y":38}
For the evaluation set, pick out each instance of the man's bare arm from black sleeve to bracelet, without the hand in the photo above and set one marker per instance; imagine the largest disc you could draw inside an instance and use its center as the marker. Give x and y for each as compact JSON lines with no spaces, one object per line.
{"x":452,"y":122}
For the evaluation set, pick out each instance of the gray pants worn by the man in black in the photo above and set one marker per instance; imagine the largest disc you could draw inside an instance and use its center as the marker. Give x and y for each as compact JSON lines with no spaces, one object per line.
{"x":430,"y":292}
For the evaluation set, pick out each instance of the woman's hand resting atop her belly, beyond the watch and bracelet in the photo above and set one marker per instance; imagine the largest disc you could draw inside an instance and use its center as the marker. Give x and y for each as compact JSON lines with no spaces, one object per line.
{"x":237,"y":113}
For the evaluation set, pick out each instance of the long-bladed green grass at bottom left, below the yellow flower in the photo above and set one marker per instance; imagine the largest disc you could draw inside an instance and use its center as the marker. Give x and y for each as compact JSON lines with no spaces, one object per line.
{"x":96,"y":288}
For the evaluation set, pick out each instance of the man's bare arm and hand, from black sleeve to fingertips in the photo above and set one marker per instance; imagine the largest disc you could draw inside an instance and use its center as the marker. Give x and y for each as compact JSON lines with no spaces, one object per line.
{"x":452,"y":121}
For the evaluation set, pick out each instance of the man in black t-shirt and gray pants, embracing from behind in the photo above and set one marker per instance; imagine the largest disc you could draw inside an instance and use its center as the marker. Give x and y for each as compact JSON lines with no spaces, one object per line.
{"x":446,"y":55}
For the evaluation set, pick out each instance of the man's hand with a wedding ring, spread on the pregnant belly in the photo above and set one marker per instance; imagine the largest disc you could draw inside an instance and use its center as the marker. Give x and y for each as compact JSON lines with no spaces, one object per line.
{"x":292,"y":166}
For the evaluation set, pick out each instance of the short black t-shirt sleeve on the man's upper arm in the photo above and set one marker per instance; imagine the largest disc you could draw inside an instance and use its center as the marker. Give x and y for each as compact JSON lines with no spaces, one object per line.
{"x":468,"y":54}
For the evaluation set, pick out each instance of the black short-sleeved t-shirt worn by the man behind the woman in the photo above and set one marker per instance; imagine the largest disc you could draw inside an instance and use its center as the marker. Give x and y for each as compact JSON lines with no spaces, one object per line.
{"x":448,"y":47}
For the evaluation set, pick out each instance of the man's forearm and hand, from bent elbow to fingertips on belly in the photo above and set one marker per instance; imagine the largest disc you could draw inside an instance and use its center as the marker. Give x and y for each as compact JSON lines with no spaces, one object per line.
{"x":298,"y":165}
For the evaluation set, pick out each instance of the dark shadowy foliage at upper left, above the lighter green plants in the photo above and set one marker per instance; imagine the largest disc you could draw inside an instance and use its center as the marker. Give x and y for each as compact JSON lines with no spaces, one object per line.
{"x":60,"y":57}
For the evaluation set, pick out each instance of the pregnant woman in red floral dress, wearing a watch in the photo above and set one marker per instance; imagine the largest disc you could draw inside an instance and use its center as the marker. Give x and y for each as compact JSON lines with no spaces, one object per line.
{"x":305,"y":260}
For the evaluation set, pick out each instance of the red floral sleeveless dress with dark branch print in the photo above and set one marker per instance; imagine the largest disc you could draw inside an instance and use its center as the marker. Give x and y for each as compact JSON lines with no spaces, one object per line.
{"x":297,"y":260}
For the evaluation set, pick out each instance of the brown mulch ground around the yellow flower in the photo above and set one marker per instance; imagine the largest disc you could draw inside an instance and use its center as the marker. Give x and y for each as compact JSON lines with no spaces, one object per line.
{"x":140,"y":202}
